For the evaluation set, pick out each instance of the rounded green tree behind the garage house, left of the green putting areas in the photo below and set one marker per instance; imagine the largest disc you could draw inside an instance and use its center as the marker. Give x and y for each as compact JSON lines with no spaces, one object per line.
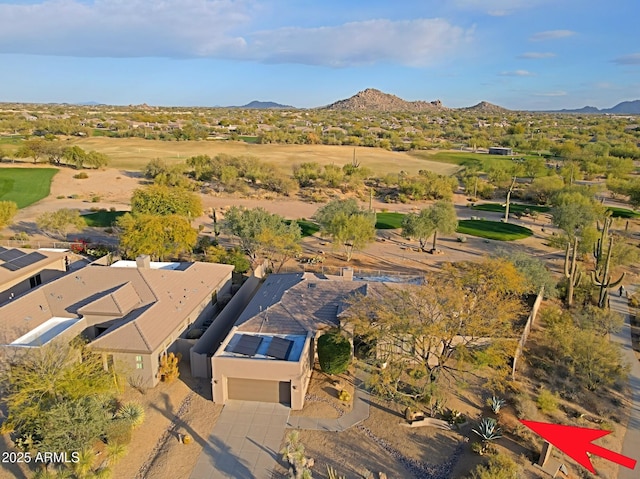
{"x":350,"y":227}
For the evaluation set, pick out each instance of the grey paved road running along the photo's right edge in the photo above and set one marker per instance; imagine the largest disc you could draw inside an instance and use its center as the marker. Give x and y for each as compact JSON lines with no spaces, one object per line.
{"x":631,"y":444}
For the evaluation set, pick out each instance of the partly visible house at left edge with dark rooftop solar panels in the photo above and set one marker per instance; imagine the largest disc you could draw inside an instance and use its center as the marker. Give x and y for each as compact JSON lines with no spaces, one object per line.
{"x":23,"y":269}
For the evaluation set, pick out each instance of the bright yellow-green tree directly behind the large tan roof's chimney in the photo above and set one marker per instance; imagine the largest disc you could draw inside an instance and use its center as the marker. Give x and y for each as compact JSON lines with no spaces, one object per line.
{"x":161,"y":237}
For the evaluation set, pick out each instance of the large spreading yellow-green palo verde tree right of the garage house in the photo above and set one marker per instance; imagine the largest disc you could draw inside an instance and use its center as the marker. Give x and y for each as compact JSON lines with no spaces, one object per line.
{"x":425,"y":332}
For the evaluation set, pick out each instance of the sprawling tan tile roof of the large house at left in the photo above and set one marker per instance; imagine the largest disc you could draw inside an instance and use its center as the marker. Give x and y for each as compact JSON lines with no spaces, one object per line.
{"x":148,"y":303}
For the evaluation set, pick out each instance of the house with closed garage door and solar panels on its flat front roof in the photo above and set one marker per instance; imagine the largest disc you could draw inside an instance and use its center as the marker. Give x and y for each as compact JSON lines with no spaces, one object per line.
{"x":269,"y":353}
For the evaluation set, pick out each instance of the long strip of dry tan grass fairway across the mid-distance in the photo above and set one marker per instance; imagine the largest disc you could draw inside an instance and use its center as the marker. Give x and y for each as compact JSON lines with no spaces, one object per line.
{"x":135,"y":153}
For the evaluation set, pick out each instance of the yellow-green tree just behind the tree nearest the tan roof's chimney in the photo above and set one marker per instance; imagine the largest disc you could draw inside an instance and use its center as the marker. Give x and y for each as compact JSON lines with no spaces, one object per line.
{"x":163,"y":200}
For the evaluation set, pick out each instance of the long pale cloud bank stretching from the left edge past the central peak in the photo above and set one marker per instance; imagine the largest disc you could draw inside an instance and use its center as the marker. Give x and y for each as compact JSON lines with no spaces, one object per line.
{"x":216,"y":29}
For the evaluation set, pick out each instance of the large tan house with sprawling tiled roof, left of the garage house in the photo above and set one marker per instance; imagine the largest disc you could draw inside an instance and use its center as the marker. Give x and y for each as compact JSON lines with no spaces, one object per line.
{"x":131,"y":312}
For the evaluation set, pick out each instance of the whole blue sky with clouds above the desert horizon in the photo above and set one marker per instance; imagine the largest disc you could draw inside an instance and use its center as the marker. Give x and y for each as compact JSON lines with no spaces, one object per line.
{"x":520,"y":54}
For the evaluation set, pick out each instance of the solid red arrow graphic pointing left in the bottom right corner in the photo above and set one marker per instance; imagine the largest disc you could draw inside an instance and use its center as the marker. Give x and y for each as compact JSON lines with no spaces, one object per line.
{"x":576,"y":442}
